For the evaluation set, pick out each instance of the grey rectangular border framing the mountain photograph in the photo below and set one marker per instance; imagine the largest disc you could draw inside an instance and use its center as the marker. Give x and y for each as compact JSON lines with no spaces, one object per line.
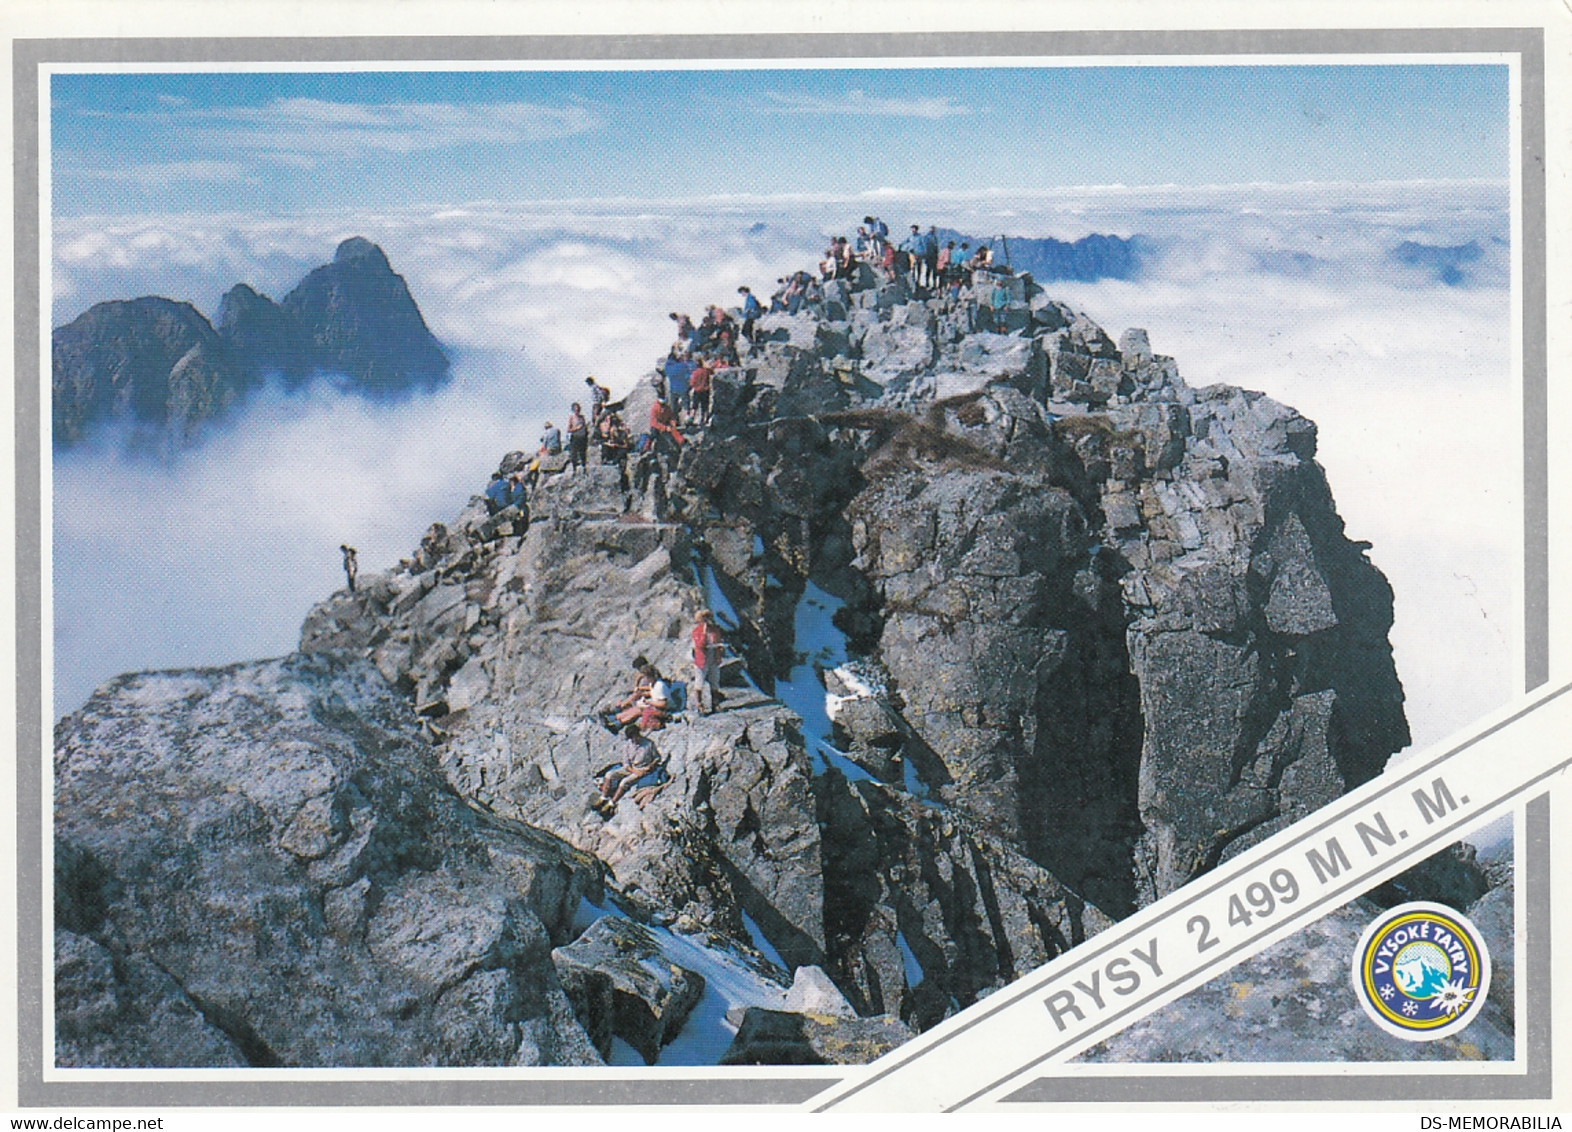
{"x":31,"y":726}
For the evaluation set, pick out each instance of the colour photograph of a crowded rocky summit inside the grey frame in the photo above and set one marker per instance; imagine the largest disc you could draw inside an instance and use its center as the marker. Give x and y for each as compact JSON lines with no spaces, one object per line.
{"x":732,"y":567}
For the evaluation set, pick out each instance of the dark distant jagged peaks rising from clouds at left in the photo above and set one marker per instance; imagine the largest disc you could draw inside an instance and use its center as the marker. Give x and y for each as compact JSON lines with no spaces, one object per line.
{"x":161,"y":369}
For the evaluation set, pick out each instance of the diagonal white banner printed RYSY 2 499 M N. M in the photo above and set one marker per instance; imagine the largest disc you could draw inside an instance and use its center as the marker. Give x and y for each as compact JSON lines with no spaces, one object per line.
{"x":1222,"y":919}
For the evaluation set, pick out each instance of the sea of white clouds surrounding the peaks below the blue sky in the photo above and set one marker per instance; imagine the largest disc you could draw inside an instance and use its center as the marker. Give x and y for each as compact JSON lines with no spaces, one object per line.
{"x":1299,"y":292}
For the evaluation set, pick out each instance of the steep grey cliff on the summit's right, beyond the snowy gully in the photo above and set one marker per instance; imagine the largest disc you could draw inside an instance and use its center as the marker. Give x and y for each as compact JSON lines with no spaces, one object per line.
{"x":1120,"y":620}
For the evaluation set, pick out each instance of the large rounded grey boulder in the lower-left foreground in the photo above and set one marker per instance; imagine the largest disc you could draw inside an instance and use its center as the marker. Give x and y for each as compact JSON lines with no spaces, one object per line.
{"x":262,"y":866}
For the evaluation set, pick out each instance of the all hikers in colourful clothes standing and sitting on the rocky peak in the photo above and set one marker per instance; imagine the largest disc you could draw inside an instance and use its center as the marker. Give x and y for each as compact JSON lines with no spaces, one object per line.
{"x":683,"y":384}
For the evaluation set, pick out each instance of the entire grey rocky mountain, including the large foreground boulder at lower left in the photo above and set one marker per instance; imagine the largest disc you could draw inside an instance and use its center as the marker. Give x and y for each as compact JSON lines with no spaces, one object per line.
{"x":1027,"y":633}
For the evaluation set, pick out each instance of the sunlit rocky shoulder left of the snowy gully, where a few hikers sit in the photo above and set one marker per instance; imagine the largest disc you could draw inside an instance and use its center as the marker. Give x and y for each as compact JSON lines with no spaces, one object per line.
{"x":911,"y":908}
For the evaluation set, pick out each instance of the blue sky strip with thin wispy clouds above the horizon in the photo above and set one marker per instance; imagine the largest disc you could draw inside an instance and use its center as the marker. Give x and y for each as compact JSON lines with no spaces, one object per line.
{"x":277,"y":144}
